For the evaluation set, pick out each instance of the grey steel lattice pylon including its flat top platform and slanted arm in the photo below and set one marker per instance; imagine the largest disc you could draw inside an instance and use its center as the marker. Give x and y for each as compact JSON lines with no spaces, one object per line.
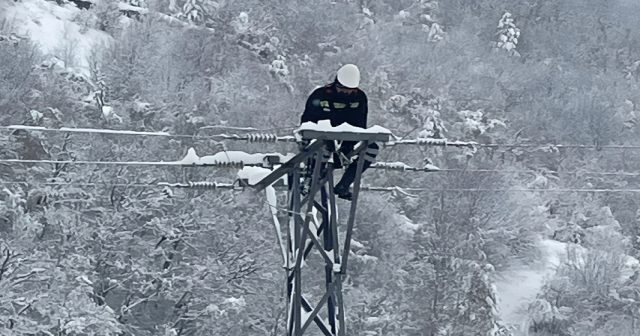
{"x":307,"y":232}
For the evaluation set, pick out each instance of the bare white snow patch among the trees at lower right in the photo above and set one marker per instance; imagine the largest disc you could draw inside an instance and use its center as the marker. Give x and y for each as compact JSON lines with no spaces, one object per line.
{"x":520,"y":285}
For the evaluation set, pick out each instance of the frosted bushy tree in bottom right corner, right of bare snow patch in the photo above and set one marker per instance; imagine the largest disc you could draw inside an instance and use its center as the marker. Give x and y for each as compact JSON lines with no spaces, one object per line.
{"x":590,"y":291}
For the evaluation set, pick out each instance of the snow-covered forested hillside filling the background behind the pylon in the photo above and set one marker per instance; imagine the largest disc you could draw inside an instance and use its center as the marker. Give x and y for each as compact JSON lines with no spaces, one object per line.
{"x":95,"y":252}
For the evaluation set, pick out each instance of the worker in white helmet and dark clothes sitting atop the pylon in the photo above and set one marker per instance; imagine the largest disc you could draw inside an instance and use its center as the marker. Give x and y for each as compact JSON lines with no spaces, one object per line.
{"x":342,"y":102}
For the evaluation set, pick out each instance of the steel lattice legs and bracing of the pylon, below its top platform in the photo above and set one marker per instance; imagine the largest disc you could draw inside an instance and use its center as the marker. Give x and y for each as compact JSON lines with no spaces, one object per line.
{"x":323,"y":239}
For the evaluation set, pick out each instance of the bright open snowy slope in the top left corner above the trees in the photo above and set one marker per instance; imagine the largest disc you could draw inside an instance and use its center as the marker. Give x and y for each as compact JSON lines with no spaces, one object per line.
{"x":56,"y":30}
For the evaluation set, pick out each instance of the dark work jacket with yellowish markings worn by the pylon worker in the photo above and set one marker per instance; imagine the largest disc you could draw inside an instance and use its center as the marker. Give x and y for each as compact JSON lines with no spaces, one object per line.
{"x":326,"y":103}
